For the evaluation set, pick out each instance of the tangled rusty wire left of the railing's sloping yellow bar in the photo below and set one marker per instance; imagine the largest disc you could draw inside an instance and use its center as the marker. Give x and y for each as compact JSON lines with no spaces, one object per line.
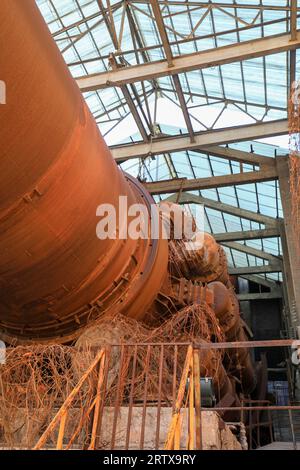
{"x":34,"y":383}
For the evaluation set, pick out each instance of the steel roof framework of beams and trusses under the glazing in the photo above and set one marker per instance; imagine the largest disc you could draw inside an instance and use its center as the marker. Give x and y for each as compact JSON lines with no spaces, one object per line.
{"x":129,"y":69}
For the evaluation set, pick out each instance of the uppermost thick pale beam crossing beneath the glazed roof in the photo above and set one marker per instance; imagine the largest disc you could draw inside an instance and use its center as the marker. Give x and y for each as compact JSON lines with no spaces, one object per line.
{"x":186,"y":63}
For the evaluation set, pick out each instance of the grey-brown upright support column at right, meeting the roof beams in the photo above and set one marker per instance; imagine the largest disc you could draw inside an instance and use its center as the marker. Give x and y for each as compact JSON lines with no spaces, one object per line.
{"x":291,"y":259}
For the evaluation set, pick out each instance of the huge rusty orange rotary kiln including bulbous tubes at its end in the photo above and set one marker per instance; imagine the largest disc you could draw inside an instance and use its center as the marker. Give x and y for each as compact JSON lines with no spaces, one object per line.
{"x":56,"y":277}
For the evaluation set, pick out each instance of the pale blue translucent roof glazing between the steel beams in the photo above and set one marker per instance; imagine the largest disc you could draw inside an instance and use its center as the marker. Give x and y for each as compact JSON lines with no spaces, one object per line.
{"x":90,"y":33}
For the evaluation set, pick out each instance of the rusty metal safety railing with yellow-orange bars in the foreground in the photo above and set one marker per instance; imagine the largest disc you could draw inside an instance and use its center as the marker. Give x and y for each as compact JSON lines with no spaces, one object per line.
{"x":135,"y":388}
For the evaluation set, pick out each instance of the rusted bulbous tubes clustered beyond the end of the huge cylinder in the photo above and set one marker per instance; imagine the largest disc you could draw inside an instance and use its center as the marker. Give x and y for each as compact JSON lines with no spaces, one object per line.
{"x":201,"y":275}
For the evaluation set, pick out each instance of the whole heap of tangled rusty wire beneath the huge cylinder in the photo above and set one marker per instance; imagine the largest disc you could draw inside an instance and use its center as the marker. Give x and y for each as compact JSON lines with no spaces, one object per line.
{"x":36,"y":380}
